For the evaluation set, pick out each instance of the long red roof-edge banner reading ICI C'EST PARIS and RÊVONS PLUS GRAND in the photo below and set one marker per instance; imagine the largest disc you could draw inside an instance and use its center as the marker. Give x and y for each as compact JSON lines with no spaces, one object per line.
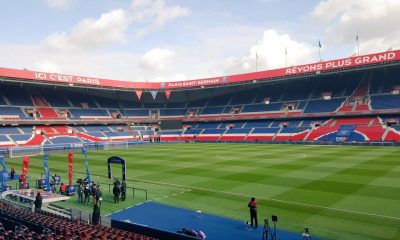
{"x":295,"y":70}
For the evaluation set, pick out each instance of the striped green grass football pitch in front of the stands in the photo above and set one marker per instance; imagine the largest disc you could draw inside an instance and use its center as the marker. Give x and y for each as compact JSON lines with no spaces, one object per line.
{"x":339,"y":192}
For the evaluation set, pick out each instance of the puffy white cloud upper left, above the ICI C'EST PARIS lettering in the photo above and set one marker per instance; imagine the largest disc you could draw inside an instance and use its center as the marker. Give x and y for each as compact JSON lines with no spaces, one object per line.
{"x":92,"y":33}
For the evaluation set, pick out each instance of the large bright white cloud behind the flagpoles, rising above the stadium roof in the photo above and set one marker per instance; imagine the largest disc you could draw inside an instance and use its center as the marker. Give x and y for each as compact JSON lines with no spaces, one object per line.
{"x":271,"y":54}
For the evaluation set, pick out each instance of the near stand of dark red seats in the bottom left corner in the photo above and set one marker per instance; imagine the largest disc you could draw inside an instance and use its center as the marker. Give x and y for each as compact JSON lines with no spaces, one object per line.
{"x":18,"y":223}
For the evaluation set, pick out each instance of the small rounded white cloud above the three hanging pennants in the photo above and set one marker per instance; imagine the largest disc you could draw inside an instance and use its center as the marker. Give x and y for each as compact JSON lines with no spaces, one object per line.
{"x":157,"y":59}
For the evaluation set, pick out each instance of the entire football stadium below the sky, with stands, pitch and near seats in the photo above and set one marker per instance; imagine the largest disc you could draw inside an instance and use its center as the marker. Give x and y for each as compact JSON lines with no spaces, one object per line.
{"x":316,"y":145}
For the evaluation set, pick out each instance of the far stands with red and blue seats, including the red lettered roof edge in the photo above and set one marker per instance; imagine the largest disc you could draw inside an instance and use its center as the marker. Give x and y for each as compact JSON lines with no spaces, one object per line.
{"x":354,"y":99}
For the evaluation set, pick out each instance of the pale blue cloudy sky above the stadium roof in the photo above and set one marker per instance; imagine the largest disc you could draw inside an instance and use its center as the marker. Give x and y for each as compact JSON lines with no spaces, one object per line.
{"x":170,"y":40}
